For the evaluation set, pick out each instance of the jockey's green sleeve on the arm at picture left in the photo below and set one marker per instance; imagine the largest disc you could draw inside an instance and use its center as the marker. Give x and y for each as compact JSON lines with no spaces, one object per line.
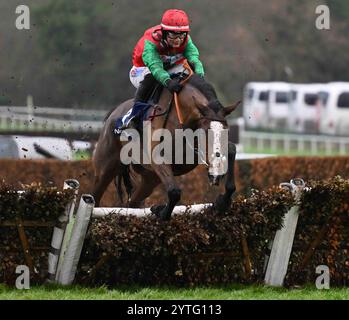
{"x":152,"y":60}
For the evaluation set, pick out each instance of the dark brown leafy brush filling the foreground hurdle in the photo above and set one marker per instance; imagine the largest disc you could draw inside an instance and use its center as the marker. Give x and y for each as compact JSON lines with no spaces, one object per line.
{"x":200,"y":249}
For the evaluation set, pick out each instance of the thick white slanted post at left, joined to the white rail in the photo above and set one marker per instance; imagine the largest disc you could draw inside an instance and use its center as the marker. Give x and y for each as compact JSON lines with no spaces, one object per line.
{"x":72,"y":254}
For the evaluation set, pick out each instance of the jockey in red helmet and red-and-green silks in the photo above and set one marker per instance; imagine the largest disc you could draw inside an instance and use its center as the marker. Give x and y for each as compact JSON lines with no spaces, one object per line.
{"x":161,"y":48}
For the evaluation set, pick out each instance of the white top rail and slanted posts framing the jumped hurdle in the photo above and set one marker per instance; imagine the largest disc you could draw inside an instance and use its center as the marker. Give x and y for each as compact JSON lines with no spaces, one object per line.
{"x":76,"y":228}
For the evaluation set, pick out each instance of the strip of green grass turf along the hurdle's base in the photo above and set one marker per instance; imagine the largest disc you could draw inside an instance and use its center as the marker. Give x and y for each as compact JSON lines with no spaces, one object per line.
{"x":232,"y":292}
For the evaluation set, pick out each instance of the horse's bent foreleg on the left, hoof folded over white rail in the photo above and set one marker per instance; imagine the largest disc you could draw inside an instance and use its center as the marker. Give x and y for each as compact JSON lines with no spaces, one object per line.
{"x":165,"y":174}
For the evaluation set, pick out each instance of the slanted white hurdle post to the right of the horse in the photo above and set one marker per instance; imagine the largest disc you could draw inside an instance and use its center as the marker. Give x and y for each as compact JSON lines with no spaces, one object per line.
{"x":283,"y":241}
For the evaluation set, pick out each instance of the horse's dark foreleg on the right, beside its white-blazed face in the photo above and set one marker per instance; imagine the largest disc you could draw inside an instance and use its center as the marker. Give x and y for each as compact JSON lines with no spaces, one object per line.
{"x":223,"y":201}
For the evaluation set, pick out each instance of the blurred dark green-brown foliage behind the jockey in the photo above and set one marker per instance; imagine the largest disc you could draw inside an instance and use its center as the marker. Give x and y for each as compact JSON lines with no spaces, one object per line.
{"x":78,"y":53}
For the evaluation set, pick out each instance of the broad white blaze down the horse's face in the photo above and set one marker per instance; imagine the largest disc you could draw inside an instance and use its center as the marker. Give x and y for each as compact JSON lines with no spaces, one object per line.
{"x":217,"y":151}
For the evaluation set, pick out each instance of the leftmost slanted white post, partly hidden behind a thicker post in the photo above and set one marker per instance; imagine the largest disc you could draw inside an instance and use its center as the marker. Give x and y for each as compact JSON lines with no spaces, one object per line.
{"x":60,"y":228}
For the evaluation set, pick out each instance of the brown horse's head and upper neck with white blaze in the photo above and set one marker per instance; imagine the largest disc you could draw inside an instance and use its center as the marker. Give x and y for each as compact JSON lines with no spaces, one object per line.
{"x":204,"y":111}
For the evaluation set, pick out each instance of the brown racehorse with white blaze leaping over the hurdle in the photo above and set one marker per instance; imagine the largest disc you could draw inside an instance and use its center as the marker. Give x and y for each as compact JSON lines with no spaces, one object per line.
{"x":196,"y":107}
